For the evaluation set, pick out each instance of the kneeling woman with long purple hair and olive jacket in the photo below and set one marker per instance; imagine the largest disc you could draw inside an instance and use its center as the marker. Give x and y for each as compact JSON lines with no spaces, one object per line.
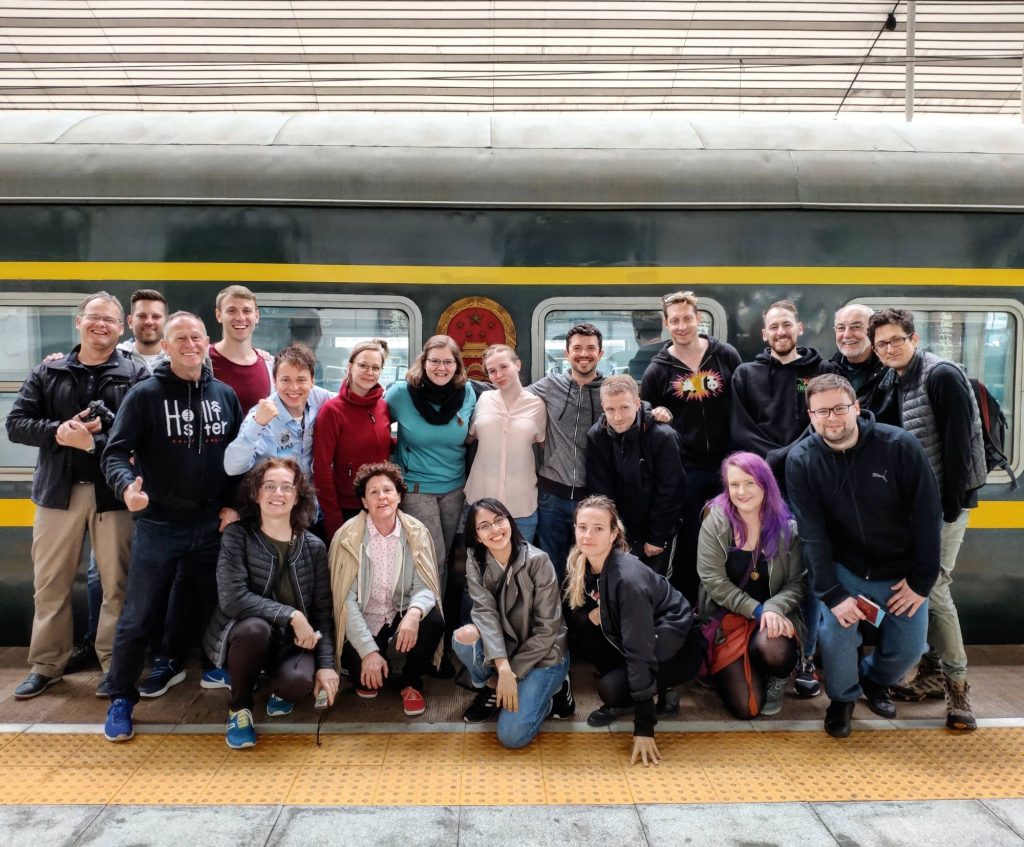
{"x":752,"y":585}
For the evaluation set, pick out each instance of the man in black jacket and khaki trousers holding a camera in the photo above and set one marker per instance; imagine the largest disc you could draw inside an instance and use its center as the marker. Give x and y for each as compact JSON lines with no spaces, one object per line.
{"x":66,"y":409}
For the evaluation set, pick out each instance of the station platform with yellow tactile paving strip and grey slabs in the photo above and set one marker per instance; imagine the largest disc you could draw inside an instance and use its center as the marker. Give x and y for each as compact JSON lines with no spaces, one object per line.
{"x":774,"y":781}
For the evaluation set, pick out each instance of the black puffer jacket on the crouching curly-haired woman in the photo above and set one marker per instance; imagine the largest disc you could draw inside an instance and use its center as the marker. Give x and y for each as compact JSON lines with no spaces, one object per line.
{"x":245,"y":589}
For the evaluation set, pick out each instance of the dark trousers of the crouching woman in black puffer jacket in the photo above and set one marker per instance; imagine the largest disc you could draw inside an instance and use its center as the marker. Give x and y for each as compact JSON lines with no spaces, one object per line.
{"x":253,"y":646}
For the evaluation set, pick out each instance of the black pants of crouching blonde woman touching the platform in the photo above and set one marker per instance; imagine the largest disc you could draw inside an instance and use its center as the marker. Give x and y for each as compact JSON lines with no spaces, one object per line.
{"x":614,"y":688}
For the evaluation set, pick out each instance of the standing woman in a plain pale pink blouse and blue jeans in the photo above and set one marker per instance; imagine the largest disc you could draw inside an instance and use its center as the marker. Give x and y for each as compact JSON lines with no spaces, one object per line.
{"x":507,"y":423}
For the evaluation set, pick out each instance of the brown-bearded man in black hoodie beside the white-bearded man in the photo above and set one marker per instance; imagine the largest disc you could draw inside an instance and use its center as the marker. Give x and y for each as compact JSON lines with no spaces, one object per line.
{"x":770,"y":410}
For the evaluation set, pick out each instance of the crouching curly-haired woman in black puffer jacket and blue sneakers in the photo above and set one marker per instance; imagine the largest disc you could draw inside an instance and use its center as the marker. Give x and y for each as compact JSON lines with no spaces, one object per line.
{"x":274,"y":591}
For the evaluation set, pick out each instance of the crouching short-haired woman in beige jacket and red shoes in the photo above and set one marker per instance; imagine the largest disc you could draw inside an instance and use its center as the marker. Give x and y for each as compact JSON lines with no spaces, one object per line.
{"x":386,"y":586}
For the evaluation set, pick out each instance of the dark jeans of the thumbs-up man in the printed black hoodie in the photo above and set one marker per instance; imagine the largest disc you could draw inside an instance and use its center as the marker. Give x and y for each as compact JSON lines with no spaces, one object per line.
{"x":157,"y":548}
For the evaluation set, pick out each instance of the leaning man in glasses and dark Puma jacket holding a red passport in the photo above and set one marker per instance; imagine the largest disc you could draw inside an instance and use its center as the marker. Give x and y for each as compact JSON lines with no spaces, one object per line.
{"x":869,"y":517}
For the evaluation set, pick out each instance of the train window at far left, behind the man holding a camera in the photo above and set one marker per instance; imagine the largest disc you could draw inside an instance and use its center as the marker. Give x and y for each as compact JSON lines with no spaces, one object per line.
{"x":29,"y":334}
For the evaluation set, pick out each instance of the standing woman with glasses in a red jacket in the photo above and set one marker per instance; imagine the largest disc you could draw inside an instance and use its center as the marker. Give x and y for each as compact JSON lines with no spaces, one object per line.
{"x":353,"y":430}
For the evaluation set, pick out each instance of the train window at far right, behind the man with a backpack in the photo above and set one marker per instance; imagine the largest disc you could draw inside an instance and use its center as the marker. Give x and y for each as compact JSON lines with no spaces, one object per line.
{"x":987,"y":337}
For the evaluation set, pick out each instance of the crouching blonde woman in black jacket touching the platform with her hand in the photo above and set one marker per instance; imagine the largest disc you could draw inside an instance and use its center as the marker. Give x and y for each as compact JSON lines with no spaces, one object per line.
{"x":628,"y":622}
